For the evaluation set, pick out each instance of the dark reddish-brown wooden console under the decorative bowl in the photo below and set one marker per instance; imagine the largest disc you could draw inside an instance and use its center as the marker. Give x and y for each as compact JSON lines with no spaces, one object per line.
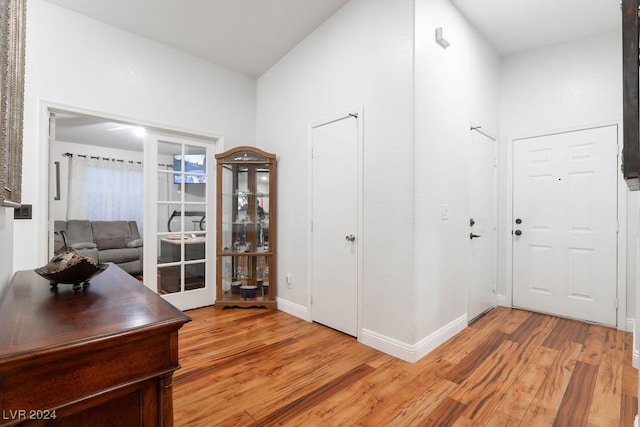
{"x":102,"y":356}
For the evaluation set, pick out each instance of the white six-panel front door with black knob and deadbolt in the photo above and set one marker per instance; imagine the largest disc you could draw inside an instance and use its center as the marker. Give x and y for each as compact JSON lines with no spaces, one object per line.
{"x":565,"y":224}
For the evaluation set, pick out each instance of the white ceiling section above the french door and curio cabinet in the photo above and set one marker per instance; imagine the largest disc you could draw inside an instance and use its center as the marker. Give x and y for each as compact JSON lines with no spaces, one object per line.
{"x":248,"y":36}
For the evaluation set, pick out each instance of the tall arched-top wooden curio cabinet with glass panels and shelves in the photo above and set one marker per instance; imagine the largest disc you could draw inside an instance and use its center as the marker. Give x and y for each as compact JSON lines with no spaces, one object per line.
{"x":246,"y":228}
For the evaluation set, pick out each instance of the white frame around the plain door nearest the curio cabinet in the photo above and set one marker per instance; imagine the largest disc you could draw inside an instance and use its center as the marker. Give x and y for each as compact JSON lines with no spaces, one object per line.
{"x":358,"y":114}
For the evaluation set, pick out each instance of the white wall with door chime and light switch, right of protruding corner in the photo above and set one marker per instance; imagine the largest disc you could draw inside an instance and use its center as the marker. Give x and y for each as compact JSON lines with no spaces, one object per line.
{"x":454,"y":87}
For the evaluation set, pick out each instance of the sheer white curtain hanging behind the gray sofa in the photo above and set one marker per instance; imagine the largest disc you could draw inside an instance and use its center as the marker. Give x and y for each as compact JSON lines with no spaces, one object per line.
{"x":105,"y":190}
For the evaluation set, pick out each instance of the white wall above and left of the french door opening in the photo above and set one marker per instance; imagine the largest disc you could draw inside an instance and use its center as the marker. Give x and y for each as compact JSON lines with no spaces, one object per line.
{"x":79,"y":62}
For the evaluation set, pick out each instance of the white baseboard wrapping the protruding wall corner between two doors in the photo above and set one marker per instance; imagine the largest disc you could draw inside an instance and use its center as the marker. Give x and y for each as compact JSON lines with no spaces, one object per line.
{"x":413,"y":352}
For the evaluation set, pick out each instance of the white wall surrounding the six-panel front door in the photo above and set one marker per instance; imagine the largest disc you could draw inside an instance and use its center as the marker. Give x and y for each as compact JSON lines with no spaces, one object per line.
{"x":565,"y":86}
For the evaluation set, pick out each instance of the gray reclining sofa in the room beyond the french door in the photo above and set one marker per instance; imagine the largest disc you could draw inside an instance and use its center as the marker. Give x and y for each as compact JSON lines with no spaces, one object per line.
{"x":118,"y":242}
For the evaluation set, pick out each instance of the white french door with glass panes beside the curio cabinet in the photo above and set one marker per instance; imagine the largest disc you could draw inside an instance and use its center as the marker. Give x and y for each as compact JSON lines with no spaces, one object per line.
{"x":179,"y":259}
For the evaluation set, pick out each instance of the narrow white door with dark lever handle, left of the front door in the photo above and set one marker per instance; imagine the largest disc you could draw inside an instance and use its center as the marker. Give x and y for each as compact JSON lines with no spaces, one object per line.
{"x":481,"y":278}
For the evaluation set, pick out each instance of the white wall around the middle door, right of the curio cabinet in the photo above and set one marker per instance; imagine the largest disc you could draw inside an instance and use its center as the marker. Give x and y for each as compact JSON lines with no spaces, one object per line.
{"x":362,"y":56}
